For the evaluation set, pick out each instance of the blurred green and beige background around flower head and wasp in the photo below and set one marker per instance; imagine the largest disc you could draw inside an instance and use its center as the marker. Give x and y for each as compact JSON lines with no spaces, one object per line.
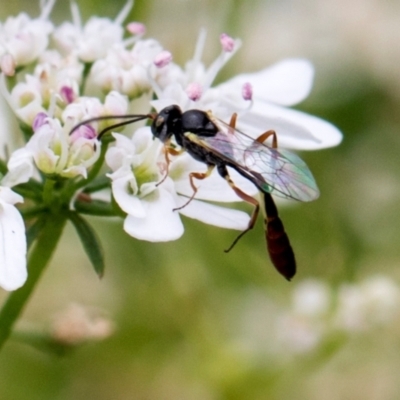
{"x":192,"y":322}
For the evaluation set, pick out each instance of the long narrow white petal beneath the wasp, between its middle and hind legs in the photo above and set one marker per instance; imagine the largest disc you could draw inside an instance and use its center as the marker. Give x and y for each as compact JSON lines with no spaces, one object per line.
{"x":215,"y":215}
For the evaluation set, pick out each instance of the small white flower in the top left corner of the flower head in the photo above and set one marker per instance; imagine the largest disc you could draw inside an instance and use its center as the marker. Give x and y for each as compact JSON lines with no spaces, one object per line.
{"x":24,"y":39}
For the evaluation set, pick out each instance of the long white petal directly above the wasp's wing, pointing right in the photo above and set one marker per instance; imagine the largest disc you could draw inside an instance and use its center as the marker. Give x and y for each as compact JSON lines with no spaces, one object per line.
{"x":295,"y":129}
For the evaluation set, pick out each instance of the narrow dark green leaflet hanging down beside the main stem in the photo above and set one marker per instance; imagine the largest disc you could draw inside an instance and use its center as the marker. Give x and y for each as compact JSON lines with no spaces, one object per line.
{"x":90,"y":242}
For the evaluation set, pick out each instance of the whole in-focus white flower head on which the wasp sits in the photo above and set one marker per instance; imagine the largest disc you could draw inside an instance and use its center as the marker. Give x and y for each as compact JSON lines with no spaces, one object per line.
{"x":55,"y":77}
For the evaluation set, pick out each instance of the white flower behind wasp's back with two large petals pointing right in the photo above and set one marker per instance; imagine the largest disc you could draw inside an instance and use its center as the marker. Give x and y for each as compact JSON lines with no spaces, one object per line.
{"x":273,"y":89}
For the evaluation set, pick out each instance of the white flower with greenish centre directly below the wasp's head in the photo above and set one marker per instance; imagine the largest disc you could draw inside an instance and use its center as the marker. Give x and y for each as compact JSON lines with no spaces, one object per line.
{"x":138,"y":167}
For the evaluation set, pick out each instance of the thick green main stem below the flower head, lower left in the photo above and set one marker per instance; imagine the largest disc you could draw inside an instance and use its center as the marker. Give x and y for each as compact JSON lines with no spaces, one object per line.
{"x":38,"y":259}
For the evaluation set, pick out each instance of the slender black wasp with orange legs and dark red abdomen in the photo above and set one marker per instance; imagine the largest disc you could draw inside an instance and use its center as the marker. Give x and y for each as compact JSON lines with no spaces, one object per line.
{"x":220,"y":145}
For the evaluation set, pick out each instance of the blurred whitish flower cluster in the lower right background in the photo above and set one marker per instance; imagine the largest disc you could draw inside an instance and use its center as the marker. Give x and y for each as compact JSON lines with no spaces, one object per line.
{"x":318,"y":317}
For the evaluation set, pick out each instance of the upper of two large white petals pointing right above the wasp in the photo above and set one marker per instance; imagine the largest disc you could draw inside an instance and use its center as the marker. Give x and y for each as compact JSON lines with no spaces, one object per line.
{"x":286,"y":83}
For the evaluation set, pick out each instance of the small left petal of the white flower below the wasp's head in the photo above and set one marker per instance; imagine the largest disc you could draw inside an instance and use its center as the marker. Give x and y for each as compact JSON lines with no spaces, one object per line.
{"x":128,"y":202}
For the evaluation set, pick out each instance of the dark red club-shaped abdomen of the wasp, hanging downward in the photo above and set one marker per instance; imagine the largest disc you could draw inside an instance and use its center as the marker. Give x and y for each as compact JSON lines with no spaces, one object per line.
{"x":278,"y":244}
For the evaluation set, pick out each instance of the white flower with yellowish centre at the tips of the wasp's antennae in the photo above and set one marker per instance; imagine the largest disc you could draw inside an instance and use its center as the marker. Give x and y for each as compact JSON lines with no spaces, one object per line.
{"x":53,"y":150}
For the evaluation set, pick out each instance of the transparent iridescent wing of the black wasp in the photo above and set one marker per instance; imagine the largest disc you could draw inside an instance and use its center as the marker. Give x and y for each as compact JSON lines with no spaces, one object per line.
{"x":278,"y":172}
